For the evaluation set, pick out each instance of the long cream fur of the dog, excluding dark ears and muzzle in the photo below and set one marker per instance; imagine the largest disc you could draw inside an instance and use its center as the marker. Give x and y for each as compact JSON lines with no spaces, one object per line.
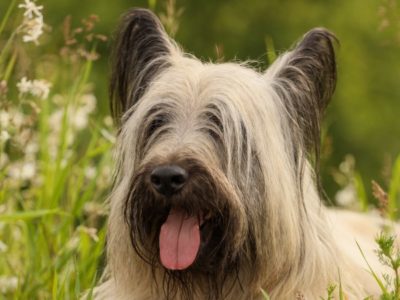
{"x":308,"y":246}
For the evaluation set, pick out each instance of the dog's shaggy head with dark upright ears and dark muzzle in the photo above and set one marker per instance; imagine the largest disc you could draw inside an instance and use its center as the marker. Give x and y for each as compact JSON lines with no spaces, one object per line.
{"x":212,"y":156}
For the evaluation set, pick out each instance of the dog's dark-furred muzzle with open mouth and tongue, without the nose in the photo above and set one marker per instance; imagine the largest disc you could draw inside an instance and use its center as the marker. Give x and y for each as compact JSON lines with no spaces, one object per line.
{"x":190,"y":232}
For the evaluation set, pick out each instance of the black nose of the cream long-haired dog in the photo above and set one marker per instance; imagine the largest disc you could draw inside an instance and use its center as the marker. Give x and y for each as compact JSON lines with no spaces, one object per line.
{"x":168,"y":179}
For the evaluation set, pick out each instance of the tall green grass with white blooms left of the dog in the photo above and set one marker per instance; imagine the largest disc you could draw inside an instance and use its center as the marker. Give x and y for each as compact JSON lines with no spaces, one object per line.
{"x":55,"y":171}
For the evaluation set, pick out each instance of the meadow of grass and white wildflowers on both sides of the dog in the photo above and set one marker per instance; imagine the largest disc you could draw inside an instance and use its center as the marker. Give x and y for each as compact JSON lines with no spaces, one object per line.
{"x":56,"y":165}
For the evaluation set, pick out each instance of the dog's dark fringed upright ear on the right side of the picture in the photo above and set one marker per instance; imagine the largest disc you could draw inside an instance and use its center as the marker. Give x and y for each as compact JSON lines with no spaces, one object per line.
{"x":305,"y":78}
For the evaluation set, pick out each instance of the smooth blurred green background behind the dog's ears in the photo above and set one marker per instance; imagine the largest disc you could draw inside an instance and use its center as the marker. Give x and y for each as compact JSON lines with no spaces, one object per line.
{"x":363,"y":118}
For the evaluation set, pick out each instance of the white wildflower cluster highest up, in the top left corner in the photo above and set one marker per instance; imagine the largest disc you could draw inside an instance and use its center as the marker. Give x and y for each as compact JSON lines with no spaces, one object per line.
{"x":32,"y":25}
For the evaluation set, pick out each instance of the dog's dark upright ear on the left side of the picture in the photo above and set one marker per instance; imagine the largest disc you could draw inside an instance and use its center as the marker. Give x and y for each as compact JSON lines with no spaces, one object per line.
{"x":142,"y":50}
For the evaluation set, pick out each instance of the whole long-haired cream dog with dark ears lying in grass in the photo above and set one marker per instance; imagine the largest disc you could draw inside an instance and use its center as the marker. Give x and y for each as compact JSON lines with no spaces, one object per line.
{"x":216,"y":189}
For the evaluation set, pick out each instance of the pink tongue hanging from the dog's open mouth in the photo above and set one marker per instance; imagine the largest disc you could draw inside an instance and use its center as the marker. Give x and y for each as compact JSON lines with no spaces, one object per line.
{"x":179,"y":240}
